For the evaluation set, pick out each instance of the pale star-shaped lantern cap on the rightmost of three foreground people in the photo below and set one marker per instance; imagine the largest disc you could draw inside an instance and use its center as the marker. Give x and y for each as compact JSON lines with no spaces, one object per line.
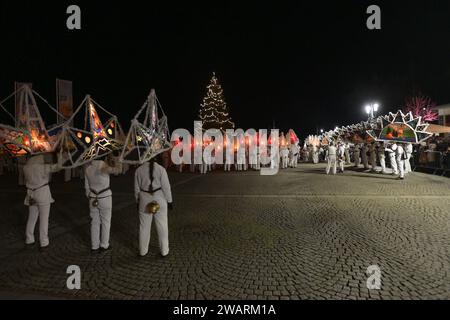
{"x":148,"y":135}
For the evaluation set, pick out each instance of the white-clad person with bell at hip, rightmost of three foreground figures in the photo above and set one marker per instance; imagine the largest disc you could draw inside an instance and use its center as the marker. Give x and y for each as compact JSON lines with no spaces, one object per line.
{"x":151,"y":183}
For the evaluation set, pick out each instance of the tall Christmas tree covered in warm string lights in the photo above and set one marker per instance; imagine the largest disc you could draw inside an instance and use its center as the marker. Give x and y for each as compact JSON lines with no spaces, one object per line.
{"x":214,"y":111}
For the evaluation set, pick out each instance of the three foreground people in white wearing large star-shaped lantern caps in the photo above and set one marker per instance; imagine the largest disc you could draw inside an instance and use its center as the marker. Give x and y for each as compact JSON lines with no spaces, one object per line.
{"x":94,"y":148}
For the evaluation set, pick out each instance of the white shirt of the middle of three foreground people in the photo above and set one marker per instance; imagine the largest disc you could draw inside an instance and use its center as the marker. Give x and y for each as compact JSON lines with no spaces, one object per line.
{"x":97,"y":178}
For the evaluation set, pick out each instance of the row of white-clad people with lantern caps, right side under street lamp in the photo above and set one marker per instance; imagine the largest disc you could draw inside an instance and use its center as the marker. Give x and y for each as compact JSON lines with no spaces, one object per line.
{"x":369,"y":144}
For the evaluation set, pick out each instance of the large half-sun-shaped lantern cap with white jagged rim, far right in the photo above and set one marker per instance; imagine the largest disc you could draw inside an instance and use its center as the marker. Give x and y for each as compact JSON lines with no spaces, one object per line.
{"x":400,"y":127}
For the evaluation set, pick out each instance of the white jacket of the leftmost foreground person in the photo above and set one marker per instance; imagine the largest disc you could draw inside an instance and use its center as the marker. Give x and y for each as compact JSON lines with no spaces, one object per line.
{"x":37,"y":176}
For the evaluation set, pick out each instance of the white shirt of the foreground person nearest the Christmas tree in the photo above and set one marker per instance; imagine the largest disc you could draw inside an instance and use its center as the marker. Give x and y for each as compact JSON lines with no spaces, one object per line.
{"x":160,"y":180}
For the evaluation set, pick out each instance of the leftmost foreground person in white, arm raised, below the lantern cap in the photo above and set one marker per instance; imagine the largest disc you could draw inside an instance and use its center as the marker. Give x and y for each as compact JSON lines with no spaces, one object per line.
{"x":39,"y":199}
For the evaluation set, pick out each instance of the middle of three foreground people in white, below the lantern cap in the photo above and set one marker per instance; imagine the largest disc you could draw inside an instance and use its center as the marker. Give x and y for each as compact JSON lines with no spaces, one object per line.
{"x":97,"y":186}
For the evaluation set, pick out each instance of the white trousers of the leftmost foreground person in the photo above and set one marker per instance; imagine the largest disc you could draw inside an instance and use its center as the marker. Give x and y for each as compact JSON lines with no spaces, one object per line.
{"x":34,"y":212}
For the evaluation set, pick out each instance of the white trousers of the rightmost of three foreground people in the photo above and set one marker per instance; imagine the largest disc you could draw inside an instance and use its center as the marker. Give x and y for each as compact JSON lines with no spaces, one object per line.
{"x":162,"y":228}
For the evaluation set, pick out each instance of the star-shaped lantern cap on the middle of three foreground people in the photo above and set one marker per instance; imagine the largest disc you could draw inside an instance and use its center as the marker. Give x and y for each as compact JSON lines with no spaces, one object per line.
{"x":81,"y":144}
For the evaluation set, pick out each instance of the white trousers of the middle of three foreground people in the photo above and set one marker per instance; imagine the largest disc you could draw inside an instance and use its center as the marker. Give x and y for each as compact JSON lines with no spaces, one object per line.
{"x":101,"y":223}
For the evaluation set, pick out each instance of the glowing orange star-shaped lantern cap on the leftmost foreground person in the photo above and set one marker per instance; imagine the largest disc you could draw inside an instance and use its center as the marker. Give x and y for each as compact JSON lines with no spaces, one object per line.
{"x":25,"y":132}
